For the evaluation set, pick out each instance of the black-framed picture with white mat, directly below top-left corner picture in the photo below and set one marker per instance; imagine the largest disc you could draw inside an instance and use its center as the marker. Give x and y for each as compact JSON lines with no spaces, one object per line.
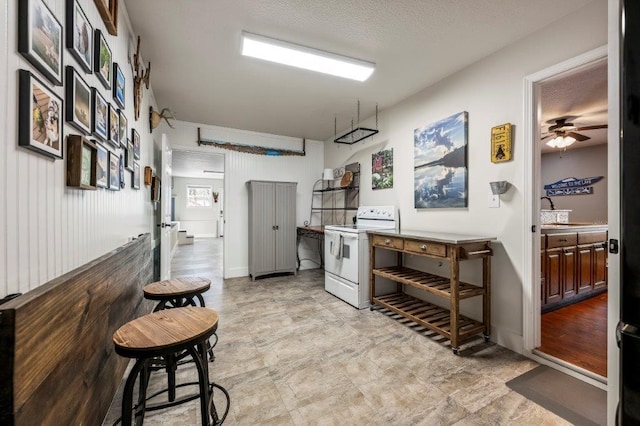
{"x":40,"y":116}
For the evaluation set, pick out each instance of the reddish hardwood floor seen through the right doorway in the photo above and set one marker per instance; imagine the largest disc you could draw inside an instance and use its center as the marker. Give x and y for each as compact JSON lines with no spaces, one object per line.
{"x":578,"y":334}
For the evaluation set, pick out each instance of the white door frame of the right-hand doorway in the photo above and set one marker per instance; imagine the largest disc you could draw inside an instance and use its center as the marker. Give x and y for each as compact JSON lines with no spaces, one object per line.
{"x":531,"y":304}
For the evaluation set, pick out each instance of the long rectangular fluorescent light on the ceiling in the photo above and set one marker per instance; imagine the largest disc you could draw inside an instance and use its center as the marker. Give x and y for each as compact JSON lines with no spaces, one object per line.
{"x":305,"y":57}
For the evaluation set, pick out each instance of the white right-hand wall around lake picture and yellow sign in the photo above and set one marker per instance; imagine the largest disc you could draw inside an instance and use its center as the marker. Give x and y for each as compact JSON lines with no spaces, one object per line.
{"x":491,"y":90}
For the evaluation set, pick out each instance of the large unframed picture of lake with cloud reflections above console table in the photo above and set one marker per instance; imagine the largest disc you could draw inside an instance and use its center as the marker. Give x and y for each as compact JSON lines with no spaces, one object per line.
{"x":440,"y":163}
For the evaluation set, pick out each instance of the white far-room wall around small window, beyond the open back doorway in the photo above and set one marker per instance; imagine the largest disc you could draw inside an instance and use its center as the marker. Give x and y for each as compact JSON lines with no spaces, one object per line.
{"x":197,"y":221}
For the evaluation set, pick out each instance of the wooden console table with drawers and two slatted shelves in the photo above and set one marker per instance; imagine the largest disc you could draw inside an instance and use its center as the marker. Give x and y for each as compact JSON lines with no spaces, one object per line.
{"x":452,"y":248}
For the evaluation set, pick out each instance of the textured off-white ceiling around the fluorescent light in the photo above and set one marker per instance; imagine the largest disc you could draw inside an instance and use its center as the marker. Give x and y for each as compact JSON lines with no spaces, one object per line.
{"x":197,"y":69}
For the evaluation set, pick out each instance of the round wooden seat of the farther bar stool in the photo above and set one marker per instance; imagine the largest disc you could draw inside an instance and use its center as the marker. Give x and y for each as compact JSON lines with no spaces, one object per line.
{"x":177,"y":292}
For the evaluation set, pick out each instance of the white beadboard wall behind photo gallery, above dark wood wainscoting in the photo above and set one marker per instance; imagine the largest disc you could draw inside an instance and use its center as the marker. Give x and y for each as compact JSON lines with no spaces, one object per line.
{"x":46,"y":228}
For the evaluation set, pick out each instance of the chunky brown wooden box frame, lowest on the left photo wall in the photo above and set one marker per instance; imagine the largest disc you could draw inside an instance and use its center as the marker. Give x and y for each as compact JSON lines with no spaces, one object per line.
{"x":82,"y":156}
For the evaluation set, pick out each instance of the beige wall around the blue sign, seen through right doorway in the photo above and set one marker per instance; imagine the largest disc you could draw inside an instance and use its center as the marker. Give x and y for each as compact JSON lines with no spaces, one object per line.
{"x":579,"y":163}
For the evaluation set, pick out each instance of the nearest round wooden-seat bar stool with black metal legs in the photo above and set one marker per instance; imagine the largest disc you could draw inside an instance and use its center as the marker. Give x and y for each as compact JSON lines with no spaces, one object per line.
{"x":166,"y":333}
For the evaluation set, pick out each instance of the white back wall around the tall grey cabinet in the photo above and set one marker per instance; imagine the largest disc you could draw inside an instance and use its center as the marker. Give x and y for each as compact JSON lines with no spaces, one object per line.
{"x":241,"y":167}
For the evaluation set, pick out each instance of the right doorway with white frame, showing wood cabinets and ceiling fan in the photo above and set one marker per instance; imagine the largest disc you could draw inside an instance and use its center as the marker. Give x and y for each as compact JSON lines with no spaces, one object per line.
{"x":567,"y":99}
